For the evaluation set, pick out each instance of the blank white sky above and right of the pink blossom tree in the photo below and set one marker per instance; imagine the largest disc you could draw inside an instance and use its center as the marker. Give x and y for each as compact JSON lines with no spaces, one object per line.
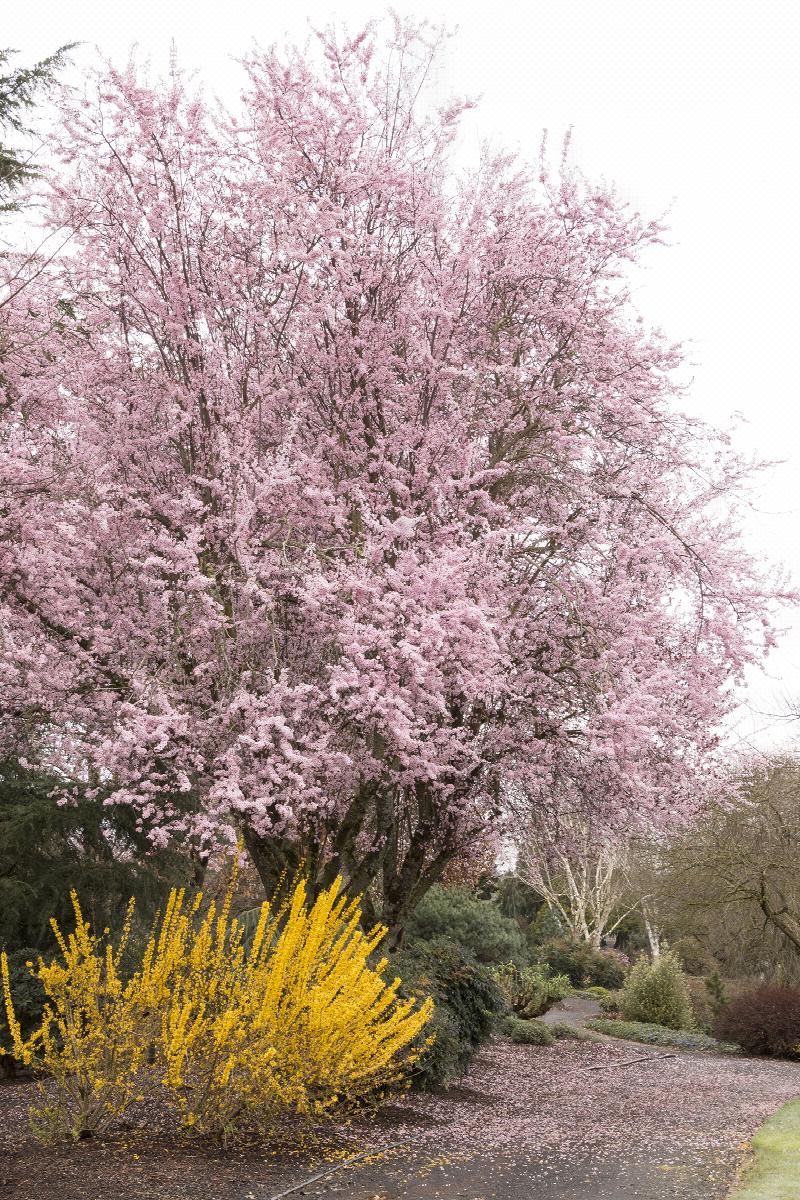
{"x":693,"y":107}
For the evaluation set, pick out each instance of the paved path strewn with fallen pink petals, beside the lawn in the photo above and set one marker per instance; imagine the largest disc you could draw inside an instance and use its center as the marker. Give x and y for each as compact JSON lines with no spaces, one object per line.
{"x":572,"y":1123}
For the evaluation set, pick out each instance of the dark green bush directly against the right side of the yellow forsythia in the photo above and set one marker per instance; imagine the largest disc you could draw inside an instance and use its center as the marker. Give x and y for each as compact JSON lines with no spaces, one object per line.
{"x":467,"y":1000}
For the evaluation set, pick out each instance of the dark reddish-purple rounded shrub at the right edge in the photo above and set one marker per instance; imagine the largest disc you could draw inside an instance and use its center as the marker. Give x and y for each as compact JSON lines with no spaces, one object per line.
{"x":763,"y":1022}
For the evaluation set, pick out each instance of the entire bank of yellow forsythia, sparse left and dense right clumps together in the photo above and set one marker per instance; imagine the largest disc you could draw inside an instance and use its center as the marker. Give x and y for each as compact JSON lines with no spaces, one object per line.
{"x":294,"y":1023}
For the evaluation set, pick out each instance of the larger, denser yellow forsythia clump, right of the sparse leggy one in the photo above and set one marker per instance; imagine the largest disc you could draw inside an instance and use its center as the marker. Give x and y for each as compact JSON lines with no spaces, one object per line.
{"x":296,"y":1023}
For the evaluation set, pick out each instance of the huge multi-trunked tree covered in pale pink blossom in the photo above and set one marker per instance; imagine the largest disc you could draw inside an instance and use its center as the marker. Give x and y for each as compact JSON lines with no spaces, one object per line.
{"x":345,"y":500}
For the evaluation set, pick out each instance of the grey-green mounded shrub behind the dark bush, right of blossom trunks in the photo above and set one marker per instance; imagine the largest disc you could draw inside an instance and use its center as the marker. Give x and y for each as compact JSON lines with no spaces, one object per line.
{"x":478,"y":926}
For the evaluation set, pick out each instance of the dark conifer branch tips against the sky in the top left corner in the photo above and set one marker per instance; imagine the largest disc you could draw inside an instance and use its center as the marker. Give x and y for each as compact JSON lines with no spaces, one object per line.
{"x":20,"y":89}
